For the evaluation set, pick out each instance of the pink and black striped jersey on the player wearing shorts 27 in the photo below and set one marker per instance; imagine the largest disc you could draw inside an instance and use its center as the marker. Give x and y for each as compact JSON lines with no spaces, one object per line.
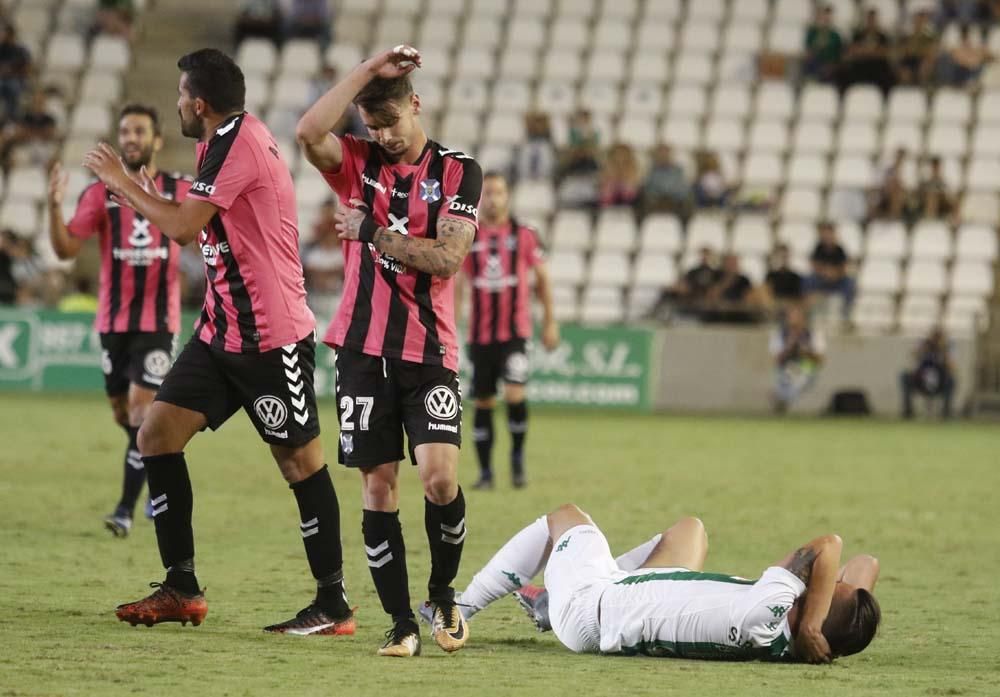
{"x":387,"y":308}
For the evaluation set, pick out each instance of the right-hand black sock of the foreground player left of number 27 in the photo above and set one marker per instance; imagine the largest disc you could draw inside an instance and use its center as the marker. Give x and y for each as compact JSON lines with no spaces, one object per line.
{"x":320,"y":527}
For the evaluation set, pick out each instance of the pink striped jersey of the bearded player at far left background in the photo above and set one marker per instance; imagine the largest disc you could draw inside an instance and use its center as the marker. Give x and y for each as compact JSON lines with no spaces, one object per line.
{"x":139,"y":288}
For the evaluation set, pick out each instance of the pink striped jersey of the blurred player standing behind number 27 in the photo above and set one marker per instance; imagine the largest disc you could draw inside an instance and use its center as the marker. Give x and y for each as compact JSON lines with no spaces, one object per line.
{"x":498,"y":268}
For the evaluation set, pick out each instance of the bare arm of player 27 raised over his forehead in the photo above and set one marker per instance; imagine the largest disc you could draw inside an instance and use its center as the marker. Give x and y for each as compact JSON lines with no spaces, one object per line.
{"x":313,"y":133}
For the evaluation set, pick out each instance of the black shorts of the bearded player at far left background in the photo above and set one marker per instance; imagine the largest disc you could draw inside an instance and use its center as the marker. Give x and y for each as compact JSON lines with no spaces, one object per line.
{"x":142,"y":358}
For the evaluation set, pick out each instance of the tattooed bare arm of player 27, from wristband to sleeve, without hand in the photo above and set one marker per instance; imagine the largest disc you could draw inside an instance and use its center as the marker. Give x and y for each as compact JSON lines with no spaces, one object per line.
{"x":439,"y":257}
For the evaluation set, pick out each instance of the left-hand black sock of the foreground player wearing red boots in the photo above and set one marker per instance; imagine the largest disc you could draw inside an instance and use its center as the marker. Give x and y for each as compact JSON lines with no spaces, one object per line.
{"x":172,"y":500}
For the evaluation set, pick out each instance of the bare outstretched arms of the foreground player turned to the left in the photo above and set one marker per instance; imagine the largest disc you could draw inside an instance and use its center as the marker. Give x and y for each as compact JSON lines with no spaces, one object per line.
{"x":181,"y":222}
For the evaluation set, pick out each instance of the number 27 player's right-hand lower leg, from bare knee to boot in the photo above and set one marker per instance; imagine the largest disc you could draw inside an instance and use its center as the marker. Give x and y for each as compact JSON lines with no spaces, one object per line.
{"x":444,"y":520}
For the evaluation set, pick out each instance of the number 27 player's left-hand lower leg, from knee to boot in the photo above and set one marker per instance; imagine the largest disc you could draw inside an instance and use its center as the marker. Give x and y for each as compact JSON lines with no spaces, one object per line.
{"x":386,"y":555}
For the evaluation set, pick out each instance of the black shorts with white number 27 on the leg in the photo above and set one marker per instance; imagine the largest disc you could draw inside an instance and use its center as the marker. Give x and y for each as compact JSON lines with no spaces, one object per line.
{"x":377,"y":398}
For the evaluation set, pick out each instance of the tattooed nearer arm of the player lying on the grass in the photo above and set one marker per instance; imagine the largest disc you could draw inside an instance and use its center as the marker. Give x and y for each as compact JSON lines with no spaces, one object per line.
{"x":815,"y":565}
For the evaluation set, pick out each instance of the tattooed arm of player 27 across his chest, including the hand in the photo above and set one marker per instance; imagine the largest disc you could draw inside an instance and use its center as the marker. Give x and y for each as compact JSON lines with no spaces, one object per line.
{"x":439,"y":257}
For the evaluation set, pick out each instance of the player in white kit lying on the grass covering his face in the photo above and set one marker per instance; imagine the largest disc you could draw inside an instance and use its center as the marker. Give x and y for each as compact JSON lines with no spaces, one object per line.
{"x":656,"y":600}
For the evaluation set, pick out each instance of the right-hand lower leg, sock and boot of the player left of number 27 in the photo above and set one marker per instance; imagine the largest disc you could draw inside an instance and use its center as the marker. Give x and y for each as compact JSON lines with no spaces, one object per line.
{"x":319,"y":511}
